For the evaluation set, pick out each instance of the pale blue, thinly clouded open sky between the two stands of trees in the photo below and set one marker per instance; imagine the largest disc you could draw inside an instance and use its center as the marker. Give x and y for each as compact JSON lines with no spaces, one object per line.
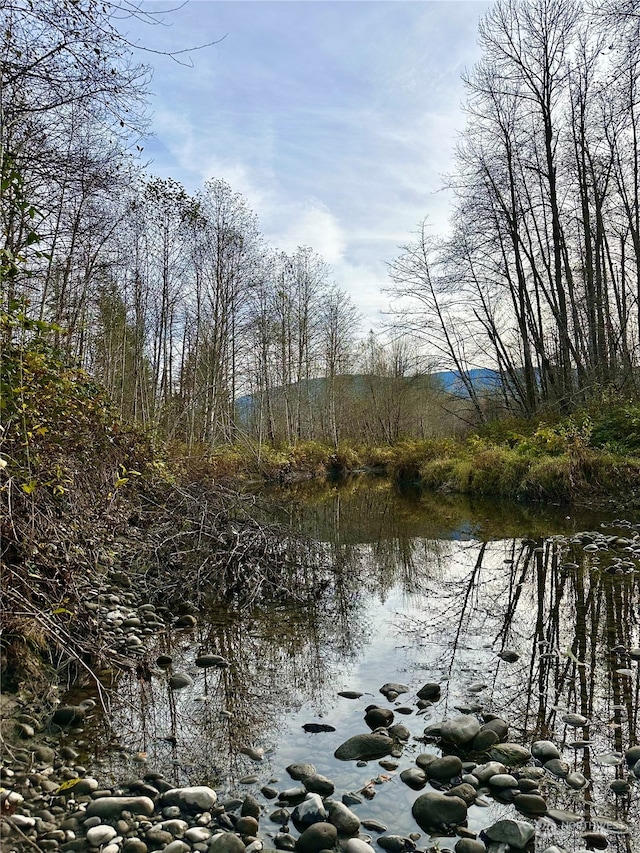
{"x":335,"y":120}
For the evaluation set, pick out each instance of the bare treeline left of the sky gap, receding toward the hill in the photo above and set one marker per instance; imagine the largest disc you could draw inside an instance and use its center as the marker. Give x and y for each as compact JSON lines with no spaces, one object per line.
{"x":174,"y":301}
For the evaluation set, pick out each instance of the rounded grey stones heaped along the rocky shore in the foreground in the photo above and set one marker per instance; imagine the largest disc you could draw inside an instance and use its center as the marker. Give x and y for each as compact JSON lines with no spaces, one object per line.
{"x":51,"y":803}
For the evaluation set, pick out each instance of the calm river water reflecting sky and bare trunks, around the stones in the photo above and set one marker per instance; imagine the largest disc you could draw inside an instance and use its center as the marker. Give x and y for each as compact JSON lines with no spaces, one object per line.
{"x":422,"y":589}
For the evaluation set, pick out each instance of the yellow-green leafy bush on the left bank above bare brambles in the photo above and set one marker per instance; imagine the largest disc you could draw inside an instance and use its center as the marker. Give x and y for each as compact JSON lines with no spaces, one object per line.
{"x":56,"y":419}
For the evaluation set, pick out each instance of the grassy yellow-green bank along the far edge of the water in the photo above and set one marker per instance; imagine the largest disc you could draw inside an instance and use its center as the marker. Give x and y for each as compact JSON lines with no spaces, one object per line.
{"x":556,"y":465}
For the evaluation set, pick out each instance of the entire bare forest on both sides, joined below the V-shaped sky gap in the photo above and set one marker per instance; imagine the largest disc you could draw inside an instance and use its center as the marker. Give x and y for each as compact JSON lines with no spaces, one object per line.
{"x":203,"y":333}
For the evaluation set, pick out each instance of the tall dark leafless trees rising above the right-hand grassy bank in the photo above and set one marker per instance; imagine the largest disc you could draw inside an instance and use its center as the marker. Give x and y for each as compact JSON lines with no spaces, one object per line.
{"x":541,"y":273}
